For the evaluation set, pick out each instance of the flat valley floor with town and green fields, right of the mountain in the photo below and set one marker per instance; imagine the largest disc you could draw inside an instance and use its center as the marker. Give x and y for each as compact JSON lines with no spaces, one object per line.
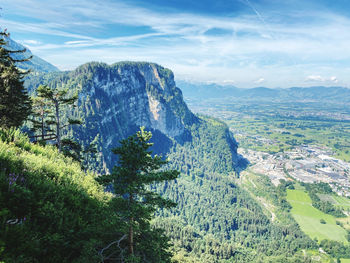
{"x":280,"y":144}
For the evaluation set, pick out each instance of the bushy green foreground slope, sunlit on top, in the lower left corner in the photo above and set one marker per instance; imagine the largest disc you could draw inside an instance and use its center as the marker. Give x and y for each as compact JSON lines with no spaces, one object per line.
{"x":52,"y":211}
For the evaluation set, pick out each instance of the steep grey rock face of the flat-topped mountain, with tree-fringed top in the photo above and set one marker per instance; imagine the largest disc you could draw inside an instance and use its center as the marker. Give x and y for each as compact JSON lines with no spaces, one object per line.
{"x":116,"y":100}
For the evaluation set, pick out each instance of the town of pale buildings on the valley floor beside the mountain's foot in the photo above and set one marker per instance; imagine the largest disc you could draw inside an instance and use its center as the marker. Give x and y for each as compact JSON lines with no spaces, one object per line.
{"x":305,"y":163}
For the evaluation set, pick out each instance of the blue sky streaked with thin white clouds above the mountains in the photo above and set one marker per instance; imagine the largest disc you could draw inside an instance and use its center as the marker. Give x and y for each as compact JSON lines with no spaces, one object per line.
{"x":245,"y":43}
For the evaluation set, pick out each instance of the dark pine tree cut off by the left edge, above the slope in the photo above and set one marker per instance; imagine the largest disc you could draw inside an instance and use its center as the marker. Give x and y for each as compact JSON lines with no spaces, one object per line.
{"x":15,"y":104}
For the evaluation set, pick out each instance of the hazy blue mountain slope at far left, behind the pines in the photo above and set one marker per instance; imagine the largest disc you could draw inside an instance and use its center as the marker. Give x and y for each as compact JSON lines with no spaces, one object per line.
{"x":35,"y":64}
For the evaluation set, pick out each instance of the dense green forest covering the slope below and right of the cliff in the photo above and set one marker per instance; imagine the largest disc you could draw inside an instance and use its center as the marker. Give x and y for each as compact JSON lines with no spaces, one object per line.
{"x":216,"y":220}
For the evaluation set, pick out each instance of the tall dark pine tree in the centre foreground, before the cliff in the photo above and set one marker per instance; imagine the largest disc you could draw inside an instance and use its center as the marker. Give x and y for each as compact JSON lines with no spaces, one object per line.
{"x":137,"y":170}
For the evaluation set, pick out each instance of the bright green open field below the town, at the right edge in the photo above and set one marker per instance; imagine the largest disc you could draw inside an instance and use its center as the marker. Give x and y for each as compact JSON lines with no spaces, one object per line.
{"x":309,"y":218}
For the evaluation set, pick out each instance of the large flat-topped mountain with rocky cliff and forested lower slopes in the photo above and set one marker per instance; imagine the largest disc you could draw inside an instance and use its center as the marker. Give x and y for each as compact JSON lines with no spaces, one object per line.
{"x":215,"y":220}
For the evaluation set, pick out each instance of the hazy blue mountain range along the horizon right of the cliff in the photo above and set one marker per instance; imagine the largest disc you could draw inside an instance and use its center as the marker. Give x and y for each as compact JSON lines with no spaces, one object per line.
{"x":215,"y":91}
